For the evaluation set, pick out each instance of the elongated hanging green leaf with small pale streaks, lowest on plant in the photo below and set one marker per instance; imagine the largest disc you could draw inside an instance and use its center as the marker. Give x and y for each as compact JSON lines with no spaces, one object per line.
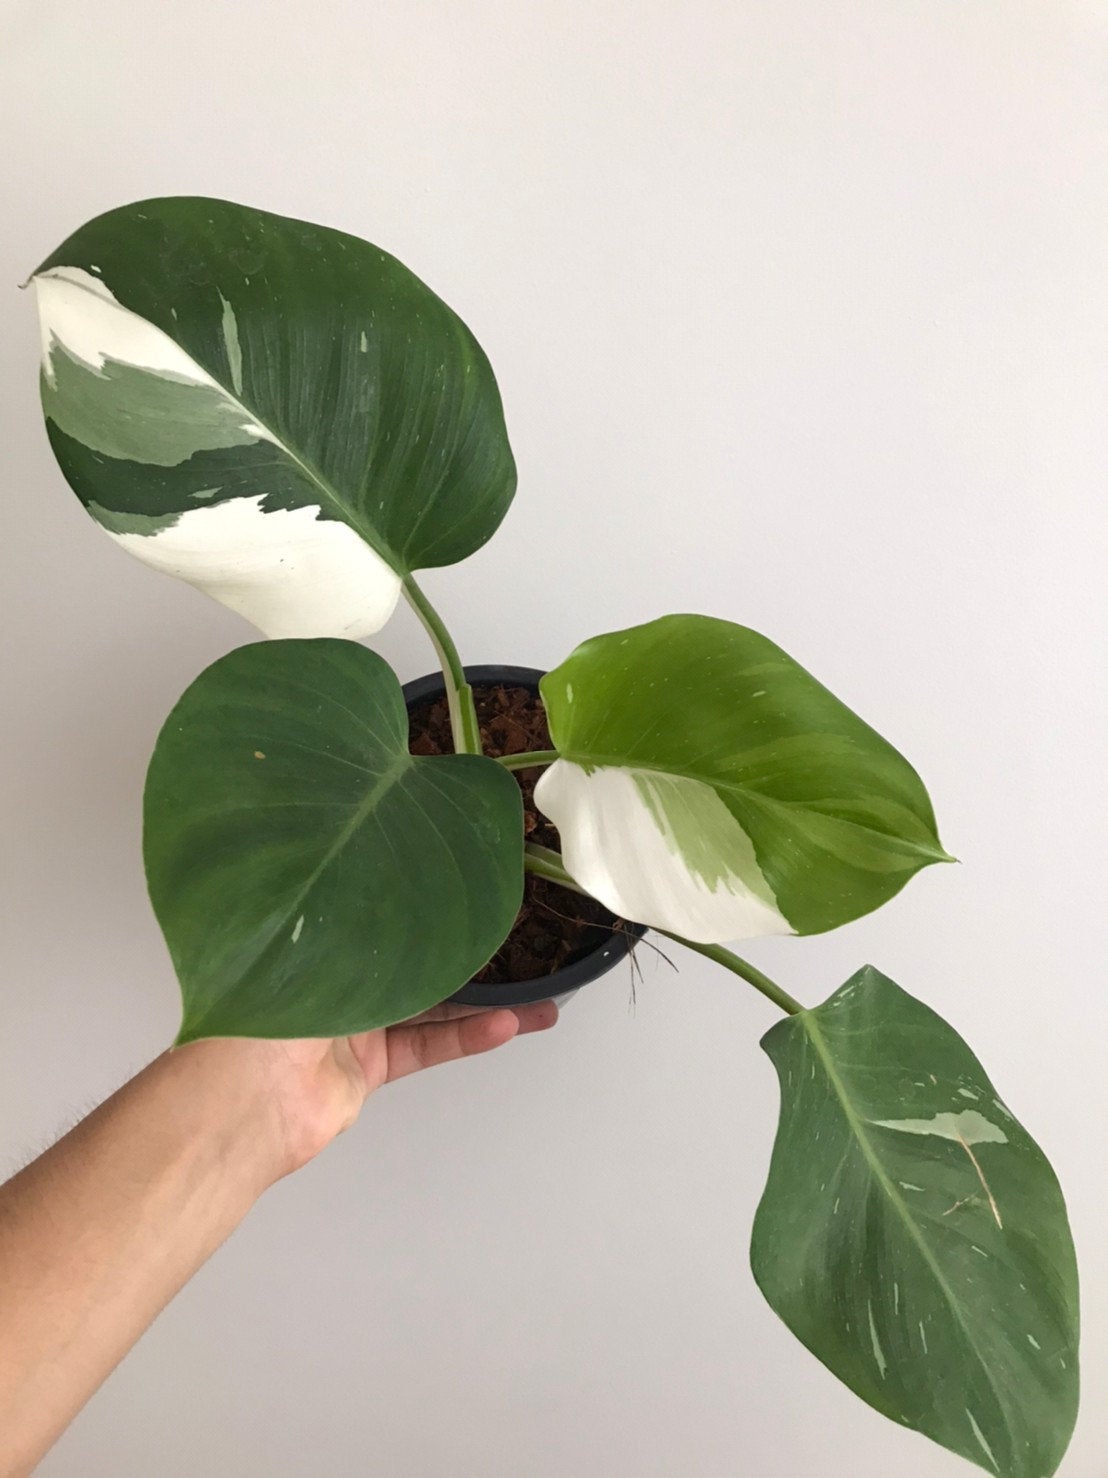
{"x":914,"y":1236}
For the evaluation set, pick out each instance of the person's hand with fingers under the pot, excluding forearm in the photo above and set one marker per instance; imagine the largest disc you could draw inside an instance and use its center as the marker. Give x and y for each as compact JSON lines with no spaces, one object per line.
{"x":317,"y":1087}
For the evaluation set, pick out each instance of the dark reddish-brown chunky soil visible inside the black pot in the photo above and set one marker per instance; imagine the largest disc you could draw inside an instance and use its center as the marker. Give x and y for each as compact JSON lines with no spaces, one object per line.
{"x":555,"y":927}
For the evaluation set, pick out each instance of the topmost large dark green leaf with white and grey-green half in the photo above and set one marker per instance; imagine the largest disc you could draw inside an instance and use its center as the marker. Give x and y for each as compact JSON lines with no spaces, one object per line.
{"x":278,"y":413}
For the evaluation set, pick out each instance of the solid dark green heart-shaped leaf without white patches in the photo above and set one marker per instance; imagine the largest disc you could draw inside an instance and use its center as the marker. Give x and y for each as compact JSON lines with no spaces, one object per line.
{"x":311,"y":876}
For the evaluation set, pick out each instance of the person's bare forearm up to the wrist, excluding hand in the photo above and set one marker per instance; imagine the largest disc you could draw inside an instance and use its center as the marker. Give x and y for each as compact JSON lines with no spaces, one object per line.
{"x":100,"y":1233}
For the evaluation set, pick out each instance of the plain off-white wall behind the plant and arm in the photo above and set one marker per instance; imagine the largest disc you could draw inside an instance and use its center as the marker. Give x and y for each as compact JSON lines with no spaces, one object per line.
{"x":798,"y":316}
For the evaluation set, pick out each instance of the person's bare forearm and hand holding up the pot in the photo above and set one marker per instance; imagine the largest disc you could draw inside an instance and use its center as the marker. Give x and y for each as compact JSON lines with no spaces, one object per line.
{"x":100,"y":1233}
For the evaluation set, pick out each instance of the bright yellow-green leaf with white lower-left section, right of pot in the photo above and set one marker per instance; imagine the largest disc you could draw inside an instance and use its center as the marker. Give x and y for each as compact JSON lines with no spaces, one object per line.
{"x":711,"y":787}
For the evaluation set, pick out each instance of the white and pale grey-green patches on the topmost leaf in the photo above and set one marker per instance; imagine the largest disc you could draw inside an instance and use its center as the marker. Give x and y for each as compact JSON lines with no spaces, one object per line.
{"x":287,"y":571}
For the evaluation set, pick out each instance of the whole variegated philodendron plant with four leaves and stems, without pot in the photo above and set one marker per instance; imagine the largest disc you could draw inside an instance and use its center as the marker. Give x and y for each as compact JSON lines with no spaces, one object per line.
{"x":287,"y":419}
